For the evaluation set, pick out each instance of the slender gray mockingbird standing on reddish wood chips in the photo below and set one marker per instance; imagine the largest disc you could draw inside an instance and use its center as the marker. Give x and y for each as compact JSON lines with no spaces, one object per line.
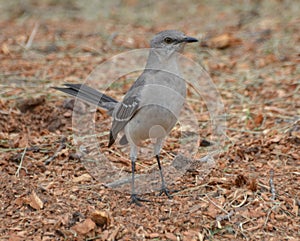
{"x":151,"y":107}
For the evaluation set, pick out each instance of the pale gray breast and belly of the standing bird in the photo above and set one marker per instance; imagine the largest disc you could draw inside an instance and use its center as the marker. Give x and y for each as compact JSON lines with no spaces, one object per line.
{"x":159,"y":108}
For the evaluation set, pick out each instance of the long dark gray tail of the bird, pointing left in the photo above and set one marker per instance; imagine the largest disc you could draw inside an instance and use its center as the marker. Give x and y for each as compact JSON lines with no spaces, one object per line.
{"x":90,"y":95}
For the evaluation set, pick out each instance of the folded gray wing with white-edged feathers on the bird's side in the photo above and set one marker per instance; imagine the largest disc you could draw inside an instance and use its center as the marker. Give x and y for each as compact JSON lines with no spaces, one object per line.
{"x":126,"y":109}
